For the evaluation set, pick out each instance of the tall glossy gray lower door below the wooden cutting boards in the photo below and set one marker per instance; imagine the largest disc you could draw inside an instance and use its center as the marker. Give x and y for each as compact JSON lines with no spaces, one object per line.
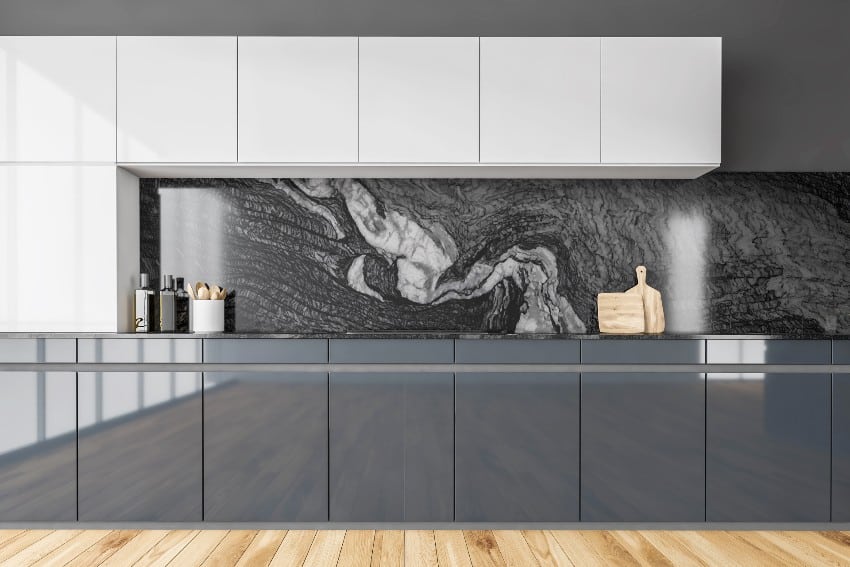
{"x":642,"y":447}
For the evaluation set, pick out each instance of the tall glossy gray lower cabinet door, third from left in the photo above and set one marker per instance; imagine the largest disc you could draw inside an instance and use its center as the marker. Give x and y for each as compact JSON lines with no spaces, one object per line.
{"x":265,"y":447}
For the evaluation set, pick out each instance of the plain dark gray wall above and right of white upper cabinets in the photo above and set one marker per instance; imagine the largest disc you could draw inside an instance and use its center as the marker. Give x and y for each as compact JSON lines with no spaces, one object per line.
{"x":786,"y":101}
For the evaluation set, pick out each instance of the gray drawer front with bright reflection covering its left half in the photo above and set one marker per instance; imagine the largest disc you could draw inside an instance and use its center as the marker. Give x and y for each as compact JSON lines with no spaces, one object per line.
{"x":757,"y":351}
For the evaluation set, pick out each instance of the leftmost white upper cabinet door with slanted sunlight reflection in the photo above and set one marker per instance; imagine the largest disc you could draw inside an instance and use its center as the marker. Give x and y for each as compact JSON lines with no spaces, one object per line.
{"x":57,"y":99}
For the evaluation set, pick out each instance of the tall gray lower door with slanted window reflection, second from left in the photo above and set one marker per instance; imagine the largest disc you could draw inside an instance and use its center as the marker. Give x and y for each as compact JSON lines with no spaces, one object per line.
{"x":140,"y":445}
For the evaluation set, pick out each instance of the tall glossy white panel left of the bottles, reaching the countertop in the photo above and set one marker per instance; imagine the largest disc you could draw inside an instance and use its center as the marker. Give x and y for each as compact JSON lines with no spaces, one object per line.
{"x":58,"y":248}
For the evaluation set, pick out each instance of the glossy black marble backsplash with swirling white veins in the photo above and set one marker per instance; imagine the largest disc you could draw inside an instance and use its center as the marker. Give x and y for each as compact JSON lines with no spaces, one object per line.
{"x":730,"y":252}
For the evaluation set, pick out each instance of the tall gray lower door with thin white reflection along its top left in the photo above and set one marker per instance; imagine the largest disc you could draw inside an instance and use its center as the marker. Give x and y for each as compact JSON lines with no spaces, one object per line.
{"x":768,"y":447}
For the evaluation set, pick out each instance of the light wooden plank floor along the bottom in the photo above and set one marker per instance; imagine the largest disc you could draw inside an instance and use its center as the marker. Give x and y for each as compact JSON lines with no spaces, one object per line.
{"x":428,"y":548}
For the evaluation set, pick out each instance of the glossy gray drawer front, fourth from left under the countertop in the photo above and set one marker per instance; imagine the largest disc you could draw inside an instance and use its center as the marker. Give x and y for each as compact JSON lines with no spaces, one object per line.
{"x":400,"y":351}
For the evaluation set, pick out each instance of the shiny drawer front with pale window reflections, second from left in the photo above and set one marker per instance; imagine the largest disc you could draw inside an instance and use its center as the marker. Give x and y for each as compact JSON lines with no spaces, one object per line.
{"x":152,"y":350}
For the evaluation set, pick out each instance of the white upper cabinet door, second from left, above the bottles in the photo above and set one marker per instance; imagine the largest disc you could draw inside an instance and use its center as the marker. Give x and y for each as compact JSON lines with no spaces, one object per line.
{"x":176,"y":99}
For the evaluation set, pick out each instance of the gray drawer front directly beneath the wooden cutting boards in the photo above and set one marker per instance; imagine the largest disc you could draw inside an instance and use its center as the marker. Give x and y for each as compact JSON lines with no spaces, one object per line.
{"x":643,"y":351}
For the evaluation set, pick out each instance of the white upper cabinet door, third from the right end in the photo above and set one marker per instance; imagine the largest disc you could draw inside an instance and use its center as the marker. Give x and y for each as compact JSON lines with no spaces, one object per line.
{"x":419,"y":99}
